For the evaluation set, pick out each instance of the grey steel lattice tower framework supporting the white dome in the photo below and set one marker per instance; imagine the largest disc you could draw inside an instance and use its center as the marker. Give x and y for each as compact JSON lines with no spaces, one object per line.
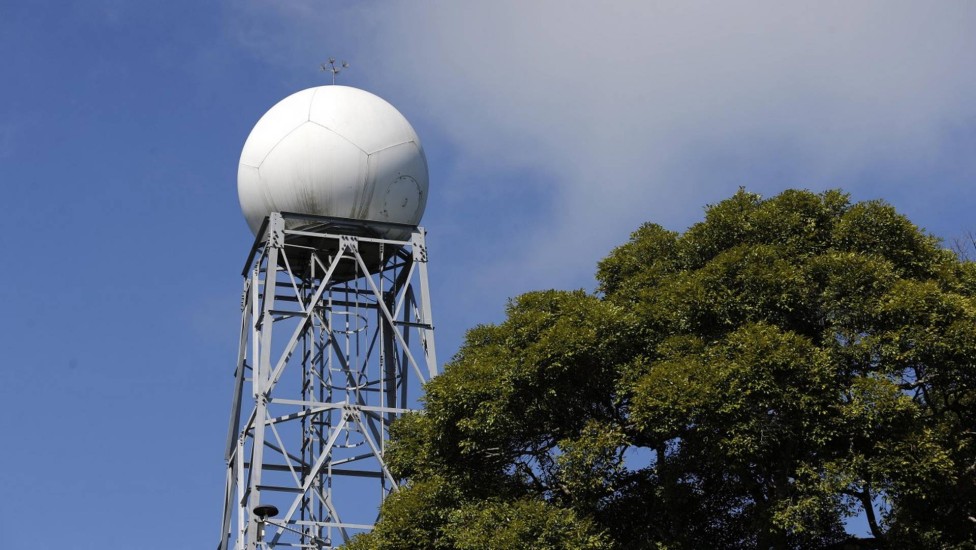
{"x":336,"y":332}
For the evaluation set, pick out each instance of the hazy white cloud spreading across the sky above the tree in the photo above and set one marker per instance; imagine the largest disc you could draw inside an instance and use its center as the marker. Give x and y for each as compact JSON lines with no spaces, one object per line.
{"x":635,"y":111}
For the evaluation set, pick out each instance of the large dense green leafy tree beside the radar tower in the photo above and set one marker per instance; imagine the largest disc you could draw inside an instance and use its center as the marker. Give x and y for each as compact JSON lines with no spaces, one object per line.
{"x":782,"y":366}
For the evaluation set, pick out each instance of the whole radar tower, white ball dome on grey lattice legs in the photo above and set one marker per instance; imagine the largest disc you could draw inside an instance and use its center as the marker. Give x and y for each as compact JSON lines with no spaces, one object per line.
{"x":336,"y":327}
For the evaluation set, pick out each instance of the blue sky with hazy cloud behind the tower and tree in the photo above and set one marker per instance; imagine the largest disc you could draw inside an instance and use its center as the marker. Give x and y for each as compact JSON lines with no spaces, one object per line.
{"x":552,"y":130}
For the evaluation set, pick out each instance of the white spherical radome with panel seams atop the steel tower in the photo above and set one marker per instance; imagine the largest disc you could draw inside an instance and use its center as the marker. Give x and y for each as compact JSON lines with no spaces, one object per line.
{"x":333,"y":151}
